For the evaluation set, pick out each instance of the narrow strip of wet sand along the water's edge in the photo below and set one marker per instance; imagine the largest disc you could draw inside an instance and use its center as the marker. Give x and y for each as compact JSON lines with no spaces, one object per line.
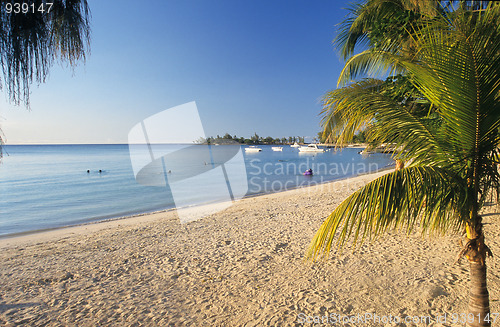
{"x":88,"y":225}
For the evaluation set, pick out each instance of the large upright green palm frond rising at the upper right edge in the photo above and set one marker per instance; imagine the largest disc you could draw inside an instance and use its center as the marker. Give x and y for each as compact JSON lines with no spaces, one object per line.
{"x":459,"y":72}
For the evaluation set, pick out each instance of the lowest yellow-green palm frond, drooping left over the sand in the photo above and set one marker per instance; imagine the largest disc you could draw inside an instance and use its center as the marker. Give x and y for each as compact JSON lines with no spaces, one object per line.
{"x":425,"y":196}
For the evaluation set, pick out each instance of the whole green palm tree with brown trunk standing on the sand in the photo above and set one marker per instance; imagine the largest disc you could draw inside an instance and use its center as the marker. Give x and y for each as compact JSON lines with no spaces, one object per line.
{"x":451,"y":169}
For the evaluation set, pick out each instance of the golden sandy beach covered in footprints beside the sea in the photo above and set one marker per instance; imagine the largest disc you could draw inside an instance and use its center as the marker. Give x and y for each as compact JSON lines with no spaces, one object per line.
{"x":243,"y":266}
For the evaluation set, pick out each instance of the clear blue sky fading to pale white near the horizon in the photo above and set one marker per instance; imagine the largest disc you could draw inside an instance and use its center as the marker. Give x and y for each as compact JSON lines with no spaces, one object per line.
{"x":251,"y":66}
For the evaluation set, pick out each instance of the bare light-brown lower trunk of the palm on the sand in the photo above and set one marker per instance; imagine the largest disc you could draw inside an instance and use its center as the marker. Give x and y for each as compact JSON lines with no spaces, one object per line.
{"x":479,"y":304}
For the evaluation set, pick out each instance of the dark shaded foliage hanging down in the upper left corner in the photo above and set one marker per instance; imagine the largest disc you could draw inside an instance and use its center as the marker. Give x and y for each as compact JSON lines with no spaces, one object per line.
{"x":31,"y":42}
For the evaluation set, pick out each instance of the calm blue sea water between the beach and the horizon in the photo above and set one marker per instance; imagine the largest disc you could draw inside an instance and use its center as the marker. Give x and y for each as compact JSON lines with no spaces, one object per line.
{"x":48,"y":186}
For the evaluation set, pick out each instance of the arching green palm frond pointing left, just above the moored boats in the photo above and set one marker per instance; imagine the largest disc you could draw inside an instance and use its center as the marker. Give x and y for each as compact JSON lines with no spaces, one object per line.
{"x":348,"y":110}
